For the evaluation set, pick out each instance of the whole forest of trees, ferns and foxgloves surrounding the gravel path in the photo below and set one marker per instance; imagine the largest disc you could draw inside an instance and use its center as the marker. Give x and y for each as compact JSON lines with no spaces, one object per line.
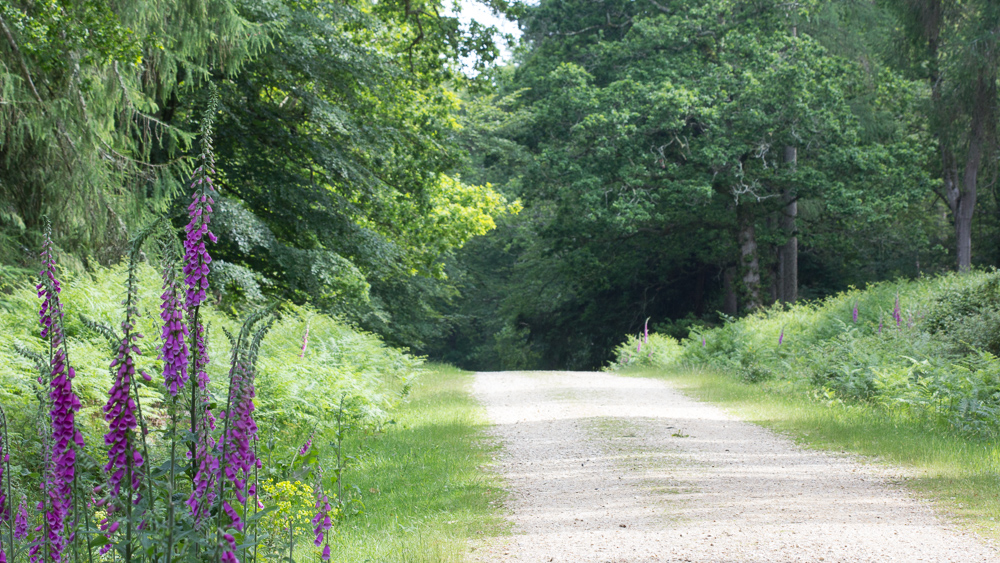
{"x":327,"y":194}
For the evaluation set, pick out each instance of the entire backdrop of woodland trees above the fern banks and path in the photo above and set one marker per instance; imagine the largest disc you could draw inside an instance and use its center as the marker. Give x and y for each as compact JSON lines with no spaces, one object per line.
{"x":679,"y":161}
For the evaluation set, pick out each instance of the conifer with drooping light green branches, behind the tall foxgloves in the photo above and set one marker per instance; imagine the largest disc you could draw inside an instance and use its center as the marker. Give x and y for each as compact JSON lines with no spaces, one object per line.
{"x":86,"y":89}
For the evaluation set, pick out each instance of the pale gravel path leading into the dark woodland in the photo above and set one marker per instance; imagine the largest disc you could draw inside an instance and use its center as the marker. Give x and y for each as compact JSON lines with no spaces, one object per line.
{"x":604,"y":468}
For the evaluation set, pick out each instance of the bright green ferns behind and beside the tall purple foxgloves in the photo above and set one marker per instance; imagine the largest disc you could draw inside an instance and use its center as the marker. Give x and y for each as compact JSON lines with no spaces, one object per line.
{"x":298,"y":393}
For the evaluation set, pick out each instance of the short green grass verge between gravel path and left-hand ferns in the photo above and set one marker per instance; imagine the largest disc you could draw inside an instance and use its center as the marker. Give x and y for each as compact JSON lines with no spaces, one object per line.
{"x":422,"y":483}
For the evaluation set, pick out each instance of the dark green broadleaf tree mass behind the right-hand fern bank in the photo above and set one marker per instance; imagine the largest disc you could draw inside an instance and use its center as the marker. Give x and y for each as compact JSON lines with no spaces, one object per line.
{"x":644,"y":138}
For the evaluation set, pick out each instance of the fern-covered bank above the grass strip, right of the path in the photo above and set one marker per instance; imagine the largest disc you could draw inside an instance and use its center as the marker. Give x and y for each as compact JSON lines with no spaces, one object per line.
{"x":918,"y":349}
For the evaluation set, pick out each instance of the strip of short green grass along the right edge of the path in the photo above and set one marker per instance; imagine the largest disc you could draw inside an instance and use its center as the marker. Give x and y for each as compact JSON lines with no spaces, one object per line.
{"x":959,"y":474}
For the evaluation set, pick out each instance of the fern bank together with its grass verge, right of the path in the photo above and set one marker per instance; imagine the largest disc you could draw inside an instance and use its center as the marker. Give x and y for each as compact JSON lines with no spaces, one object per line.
{"x":905,"y":372}
